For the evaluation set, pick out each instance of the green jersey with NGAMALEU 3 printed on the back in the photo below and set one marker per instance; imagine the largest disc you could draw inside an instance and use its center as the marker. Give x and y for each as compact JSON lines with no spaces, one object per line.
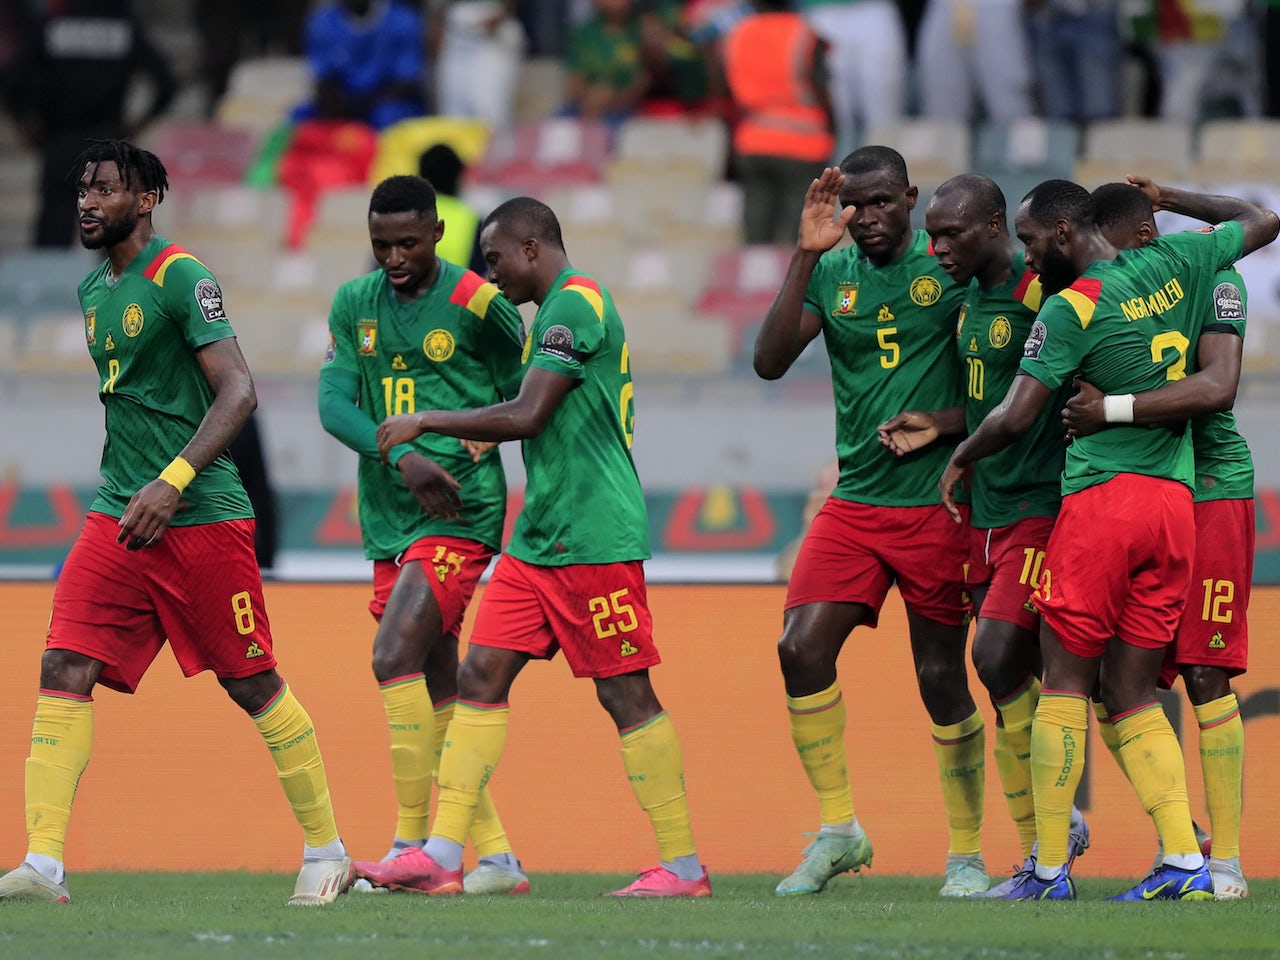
{"x":1127,"y":326}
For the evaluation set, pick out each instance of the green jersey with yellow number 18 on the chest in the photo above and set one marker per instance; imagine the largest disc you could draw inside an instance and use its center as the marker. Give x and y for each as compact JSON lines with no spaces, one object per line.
{"x":455,"y":348}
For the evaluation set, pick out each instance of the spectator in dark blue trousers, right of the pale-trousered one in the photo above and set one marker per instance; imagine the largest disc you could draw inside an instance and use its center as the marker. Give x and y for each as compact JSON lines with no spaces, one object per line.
{"x":1078,"y":58}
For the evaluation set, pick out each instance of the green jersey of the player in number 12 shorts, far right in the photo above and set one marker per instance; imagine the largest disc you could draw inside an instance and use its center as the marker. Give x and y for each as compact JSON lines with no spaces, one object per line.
{"x":1224,"y":467}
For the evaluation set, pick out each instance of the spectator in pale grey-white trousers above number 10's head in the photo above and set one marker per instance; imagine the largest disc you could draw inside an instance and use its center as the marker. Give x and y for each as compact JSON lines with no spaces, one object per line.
{"x":973,"y":54}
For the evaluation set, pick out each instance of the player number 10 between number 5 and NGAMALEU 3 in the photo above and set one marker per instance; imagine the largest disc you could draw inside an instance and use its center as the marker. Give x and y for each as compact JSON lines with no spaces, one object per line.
{"x":1016,"y":495}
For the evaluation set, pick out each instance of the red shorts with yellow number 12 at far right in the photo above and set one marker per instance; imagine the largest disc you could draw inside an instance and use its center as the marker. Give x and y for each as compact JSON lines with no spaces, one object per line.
{"x":1215,"y":628}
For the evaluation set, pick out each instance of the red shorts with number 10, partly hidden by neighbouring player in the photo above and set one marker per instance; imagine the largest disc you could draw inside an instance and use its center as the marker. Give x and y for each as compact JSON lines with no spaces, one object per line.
{"x":1008,"y":561}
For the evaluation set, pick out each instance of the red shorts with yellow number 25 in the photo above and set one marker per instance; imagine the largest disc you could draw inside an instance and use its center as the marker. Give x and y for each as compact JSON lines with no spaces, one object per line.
{"x":597,"y":614}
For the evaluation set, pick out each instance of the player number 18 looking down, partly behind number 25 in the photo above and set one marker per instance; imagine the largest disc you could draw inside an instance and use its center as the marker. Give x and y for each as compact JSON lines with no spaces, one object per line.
{"x":423,"y":331}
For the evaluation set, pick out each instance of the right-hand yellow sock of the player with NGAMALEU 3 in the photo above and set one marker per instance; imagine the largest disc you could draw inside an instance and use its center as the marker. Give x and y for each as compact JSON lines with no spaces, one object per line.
{"x":1154,"y":764}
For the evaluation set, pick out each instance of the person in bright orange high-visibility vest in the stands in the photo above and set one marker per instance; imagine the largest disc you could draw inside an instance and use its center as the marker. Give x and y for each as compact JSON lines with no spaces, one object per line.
{"x":774,"y":67}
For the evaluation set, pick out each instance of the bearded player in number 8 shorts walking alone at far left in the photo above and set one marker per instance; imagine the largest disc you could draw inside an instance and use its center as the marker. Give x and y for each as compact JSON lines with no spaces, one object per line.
{"x":167,"y":552}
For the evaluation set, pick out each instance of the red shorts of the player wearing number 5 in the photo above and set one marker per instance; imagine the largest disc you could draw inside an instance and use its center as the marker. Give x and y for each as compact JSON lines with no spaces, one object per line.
{"x":854,"y":552}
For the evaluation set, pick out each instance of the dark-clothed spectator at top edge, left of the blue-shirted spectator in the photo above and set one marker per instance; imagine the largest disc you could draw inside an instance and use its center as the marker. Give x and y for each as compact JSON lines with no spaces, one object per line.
{"x":231,"y":30}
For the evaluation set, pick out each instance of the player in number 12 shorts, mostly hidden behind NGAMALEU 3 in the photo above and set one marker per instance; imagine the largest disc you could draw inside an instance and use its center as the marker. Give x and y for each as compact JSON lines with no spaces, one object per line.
{"x":1213,"y":643}
